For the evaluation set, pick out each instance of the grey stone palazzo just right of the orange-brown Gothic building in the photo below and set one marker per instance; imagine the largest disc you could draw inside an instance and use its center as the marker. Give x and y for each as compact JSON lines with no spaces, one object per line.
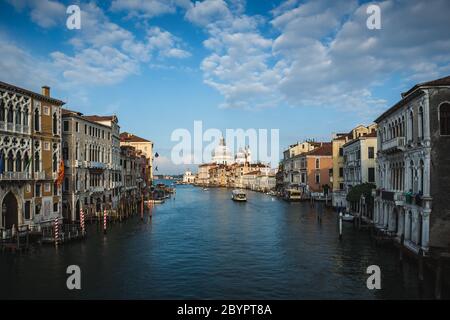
{"x":87,"y":149}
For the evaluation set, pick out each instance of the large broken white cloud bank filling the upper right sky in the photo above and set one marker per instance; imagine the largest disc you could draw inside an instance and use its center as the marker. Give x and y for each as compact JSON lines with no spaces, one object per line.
{"x":321,"y":52}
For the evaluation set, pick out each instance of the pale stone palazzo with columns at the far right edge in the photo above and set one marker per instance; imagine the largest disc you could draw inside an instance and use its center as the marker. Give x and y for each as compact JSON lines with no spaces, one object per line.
{"x":414,"y":169}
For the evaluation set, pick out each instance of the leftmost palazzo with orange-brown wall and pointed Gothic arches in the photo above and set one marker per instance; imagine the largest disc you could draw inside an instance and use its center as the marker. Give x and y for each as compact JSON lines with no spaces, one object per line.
{"x":30,"y":154}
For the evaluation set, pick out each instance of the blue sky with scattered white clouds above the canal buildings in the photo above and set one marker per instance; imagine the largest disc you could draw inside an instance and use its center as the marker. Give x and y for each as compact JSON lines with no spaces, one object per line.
{"x":307,"y":68}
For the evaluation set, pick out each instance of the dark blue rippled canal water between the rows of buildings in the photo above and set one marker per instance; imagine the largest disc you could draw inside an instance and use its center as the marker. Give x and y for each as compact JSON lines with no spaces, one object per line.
{"x":202,"y":245}
